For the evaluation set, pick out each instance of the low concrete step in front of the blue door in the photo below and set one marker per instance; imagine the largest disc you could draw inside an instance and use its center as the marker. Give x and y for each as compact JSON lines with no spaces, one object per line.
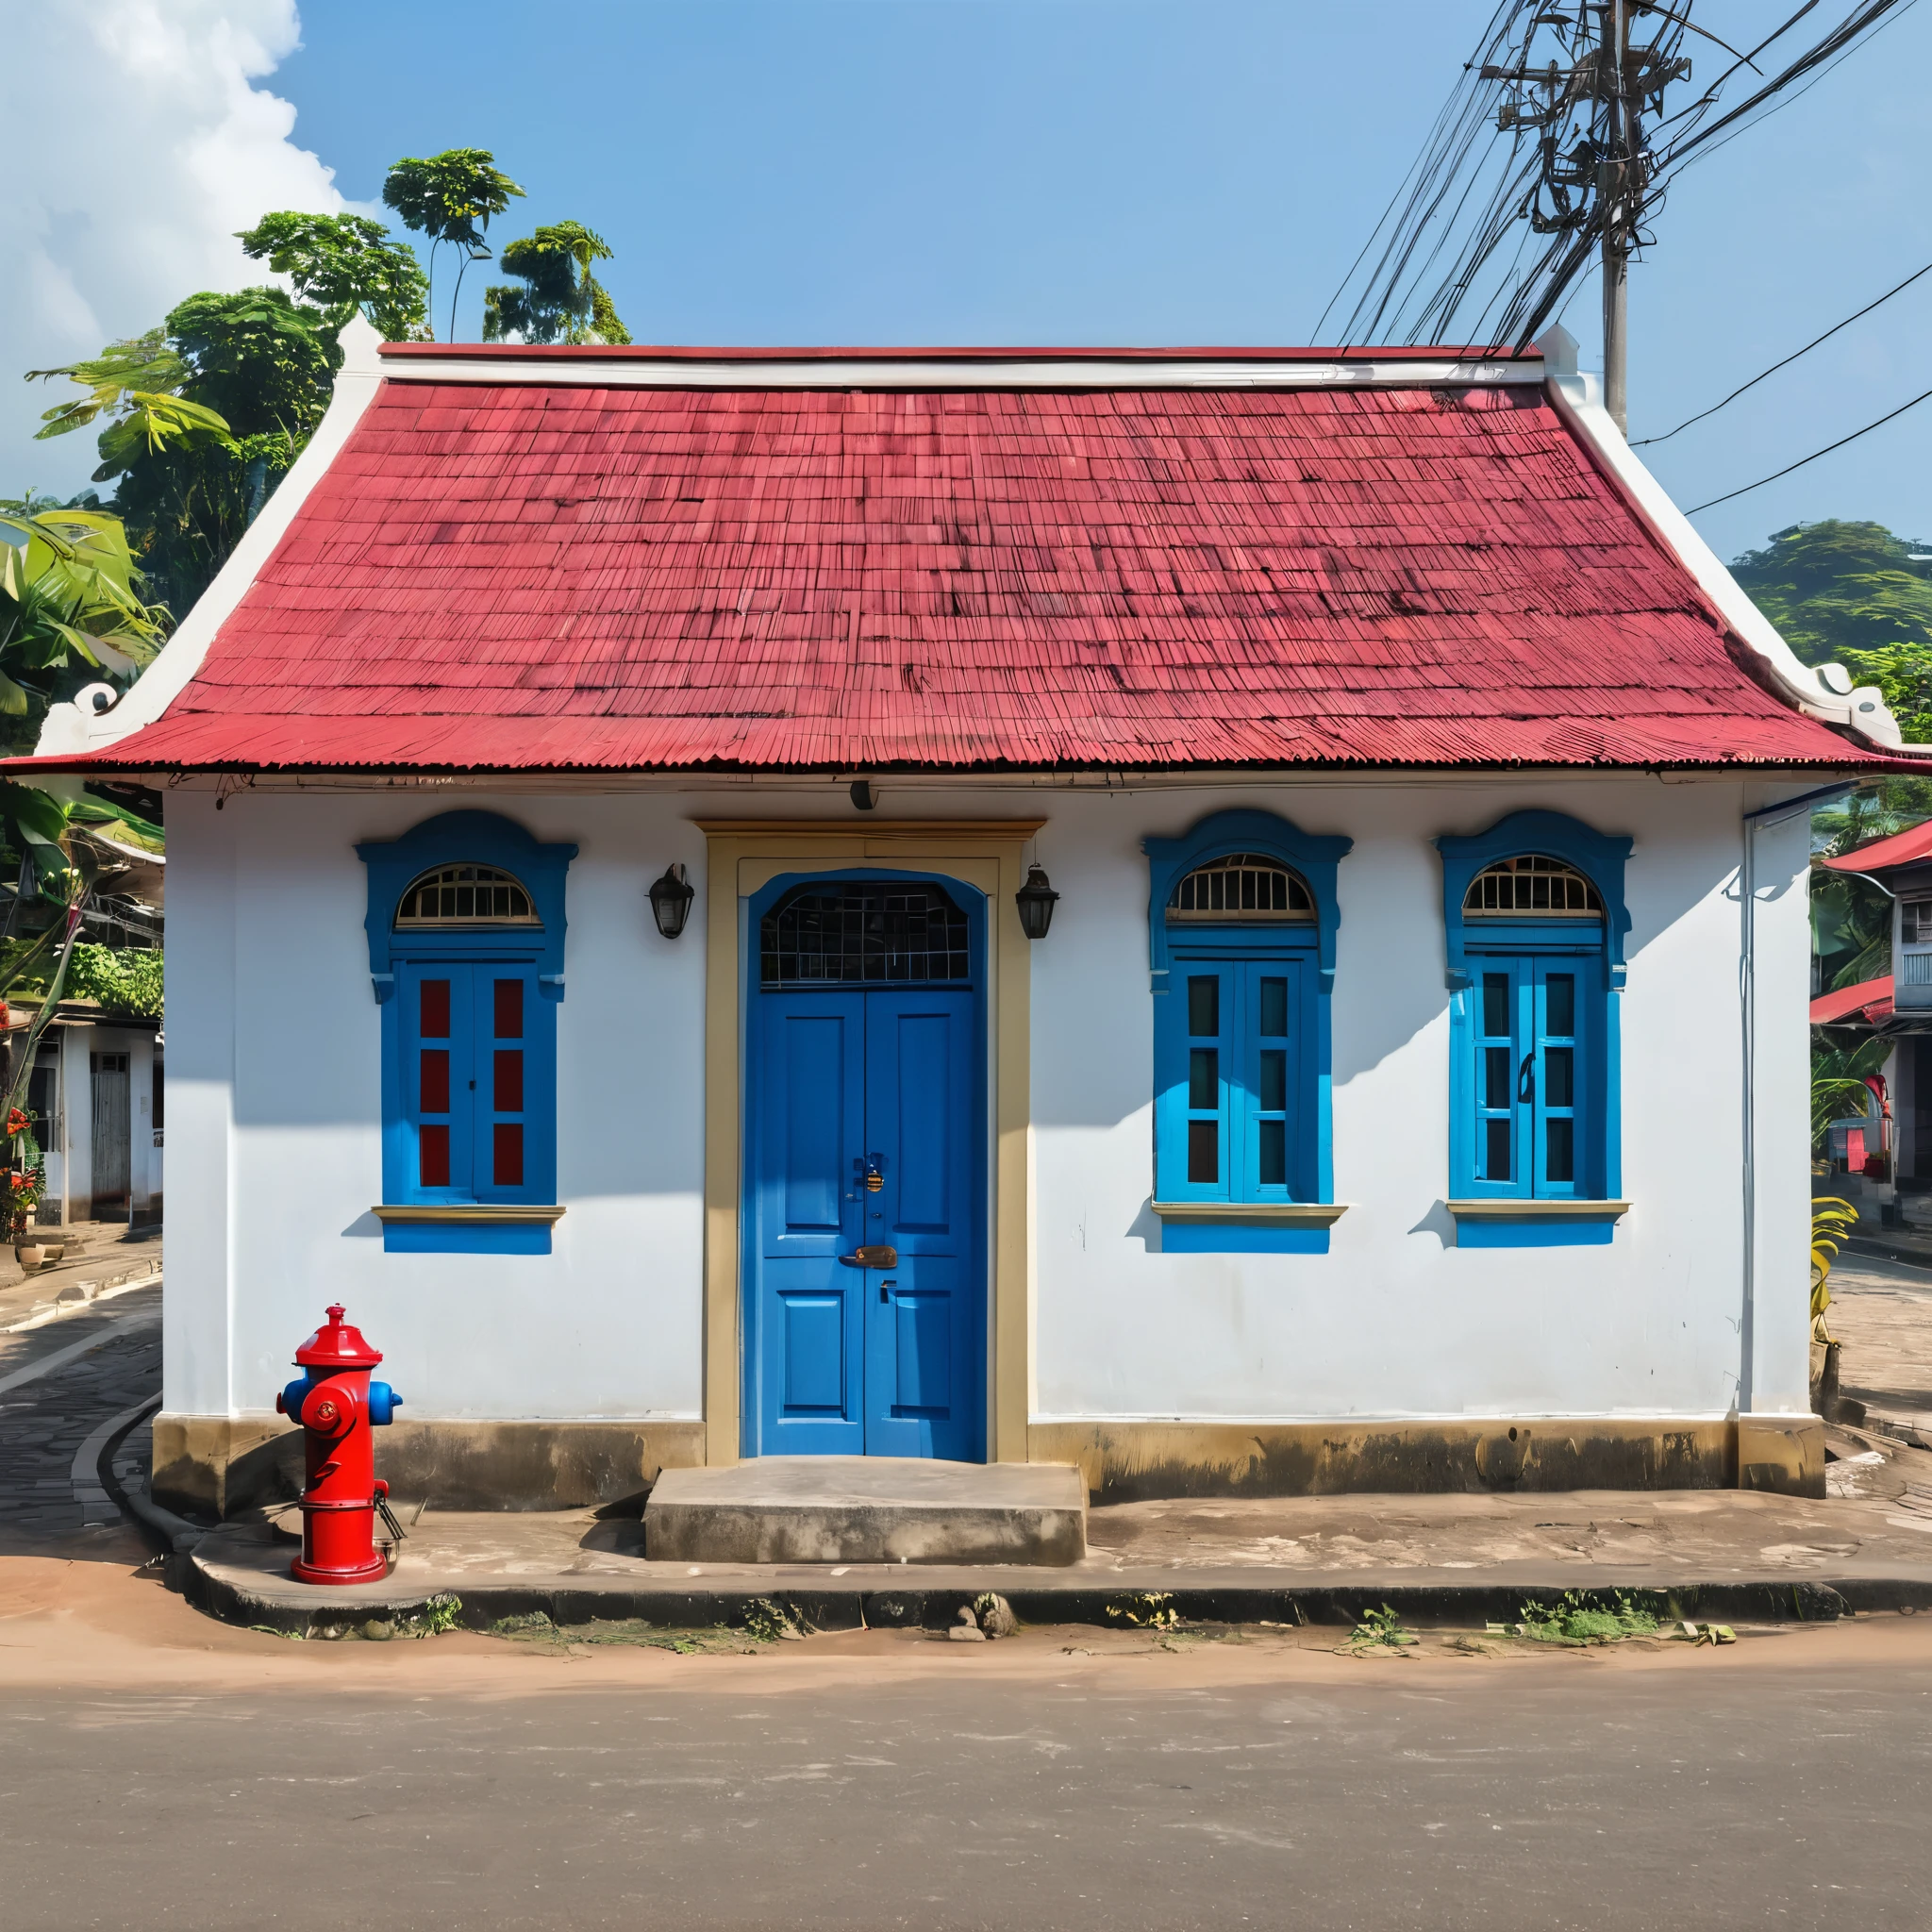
{"x":868,"y":1510}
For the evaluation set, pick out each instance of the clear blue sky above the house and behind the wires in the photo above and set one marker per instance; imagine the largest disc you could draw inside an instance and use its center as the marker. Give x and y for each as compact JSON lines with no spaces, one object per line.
{"x":1133,"y":171}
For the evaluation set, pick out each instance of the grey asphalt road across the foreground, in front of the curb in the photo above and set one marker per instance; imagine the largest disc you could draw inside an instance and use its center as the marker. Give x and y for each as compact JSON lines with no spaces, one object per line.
{"x":1574,"y":1796}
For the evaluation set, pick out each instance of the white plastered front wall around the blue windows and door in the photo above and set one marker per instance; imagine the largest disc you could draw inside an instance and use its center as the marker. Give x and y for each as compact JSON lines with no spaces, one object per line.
{"x":275,"y":1046}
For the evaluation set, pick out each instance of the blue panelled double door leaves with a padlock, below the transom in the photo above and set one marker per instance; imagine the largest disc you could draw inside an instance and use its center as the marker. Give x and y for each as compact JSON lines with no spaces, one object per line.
{"x":868,"y":1305}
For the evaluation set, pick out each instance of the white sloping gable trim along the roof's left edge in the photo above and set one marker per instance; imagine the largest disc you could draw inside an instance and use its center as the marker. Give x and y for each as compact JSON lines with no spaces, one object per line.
{"x":76,"y":727}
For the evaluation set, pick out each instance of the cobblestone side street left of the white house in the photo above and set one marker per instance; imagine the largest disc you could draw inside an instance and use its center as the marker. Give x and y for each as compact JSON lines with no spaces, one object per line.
{"x":49,"y":1419}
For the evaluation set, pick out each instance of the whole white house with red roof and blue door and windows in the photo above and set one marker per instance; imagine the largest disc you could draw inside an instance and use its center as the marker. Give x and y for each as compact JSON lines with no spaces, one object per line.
{"x":1407,"y":1094}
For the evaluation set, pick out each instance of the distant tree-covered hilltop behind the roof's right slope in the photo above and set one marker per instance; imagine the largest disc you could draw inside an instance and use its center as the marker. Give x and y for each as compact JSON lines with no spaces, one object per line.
{"x":1834,"y":588}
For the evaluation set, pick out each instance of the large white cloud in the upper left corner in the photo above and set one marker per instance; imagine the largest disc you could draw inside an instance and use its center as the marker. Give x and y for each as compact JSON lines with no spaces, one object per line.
{"x":138,"y":144}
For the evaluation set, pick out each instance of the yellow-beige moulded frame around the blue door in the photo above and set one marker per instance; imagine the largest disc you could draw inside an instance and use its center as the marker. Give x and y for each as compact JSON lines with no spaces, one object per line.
{"x":741,"y":859}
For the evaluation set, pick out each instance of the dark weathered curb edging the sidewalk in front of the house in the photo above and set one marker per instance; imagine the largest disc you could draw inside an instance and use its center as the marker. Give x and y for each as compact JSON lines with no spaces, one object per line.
{"x":221,"y":1595}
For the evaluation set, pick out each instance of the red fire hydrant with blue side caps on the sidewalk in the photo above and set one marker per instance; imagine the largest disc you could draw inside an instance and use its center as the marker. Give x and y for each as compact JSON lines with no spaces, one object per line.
{"x":337,"y":1404}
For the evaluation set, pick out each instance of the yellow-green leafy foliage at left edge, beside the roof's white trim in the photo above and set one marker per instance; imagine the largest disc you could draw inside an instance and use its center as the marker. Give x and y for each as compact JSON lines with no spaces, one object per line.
{"x":71,"y":604}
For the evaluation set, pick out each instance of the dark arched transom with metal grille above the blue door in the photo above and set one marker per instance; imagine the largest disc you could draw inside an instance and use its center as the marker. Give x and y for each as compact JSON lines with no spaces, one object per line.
{"x":863,"y":932}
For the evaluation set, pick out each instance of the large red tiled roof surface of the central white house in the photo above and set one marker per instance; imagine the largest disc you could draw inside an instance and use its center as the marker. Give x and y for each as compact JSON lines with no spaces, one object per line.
{"x":532,"y":577}
